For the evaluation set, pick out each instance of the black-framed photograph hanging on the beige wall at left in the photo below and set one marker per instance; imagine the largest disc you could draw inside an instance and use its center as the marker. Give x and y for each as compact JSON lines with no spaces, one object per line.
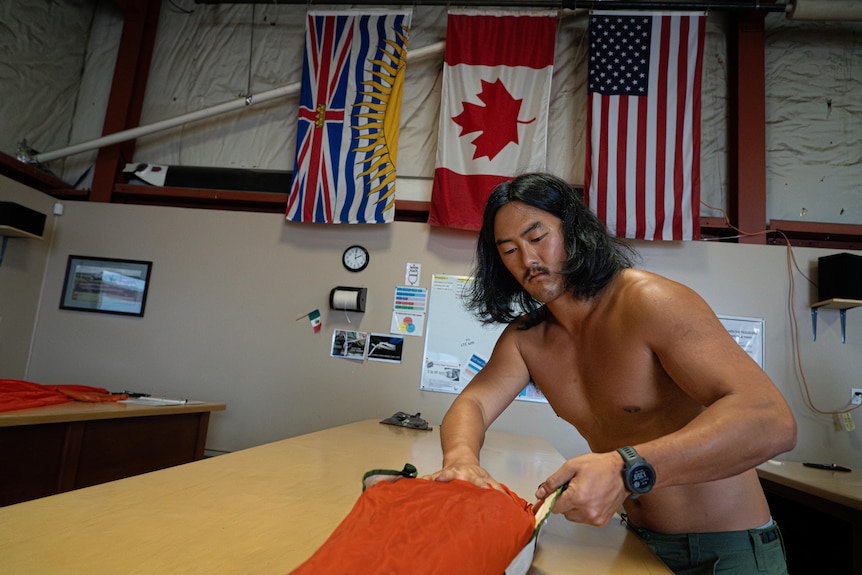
{"x":106,"y":285}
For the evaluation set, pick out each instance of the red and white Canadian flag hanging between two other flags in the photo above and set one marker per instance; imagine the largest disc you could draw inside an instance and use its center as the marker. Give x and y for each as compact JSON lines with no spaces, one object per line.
{"x":494,"y":108}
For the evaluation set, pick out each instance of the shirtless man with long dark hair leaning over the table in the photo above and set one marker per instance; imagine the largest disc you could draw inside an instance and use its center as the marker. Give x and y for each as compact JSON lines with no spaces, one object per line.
{"x":629,"y":358}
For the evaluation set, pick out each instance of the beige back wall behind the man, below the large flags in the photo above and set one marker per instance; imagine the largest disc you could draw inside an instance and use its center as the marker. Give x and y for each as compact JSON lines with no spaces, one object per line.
{"x":227,"y":287}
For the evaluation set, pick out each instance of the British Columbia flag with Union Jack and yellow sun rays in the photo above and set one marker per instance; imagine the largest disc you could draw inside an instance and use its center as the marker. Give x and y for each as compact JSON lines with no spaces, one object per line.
{"x":347,"y":131}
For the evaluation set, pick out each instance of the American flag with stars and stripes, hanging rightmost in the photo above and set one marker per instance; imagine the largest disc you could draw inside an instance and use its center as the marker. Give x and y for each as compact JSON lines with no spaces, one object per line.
{"x":643,"y":123}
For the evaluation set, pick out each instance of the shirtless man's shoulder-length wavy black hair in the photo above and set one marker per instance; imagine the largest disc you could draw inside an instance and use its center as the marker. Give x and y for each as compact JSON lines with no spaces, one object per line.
{"x":594,"y":256}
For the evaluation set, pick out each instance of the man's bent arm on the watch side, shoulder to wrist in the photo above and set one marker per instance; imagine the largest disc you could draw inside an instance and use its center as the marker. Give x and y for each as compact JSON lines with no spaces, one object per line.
{"x":746,"y":420}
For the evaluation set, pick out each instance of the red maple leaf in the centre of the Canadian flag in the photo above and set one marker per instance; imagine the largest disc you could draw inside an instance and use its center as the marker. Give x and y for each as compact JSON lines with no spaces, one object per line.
{"x":497,"y":120}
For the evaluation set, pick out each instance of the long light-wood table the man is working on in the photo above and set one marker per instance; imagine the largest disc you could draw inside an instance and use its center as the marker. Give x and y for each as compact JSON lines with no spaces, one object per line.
{"x":267,"y":509}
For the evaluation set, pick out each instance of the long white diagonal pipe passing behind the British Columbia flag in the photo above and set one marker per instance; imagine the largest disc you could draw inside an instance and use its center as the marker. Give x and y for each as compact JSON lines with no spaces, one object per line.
{"x":133,"y":133}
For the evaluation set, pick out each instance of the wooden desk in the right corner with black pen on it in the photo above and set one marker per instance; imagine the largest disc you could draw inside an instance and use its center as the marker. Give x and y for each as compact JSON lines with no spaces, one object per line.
{"x":836,"y":494}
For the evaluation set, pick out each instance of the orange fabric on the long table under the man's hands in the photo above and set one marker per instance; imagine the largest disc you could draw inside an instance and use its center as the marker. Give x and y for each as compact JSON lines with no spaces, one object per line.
{"x":426,"y":527}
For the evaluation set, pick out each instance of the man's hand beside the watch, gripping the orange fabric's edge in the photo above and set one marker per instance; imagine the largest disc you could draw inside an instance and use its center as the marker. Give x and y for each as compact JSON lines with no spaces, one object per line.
{"x":595,"y":491}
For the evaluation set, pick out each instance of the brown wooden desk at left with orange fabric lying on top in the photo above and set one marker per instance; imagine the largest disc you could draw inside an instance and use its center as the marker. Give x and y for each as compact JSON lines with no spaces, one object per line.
{"x":48,"y":450}
